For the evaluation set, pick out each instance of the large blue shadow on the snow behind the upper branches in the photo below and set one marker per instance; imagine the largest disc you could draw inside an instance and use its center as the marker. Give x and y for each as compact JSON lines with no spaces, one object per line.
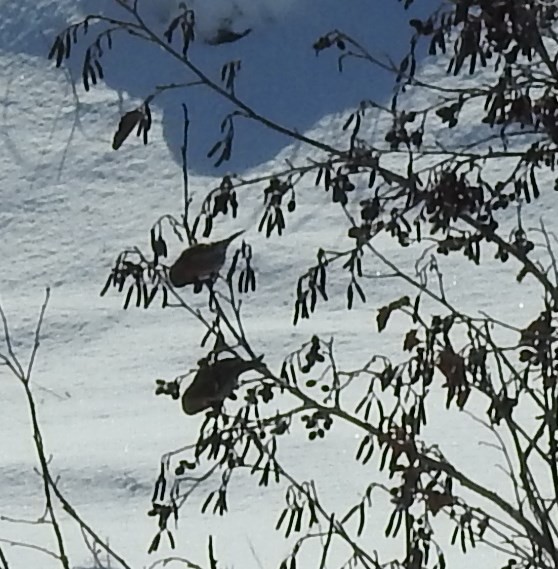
{"x":281,"y":76}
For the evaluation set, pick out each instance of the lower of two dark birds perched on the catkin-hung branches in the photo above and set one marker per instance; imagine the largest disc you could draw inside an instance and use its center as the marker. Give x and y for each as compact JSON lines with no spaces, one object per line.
{"x":213,"y":383}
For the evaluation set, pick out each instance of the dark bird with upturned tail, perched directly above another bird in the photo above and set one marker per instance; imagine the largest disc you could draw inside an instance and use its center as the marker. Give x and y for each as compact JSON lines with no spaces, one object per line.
{"x":200,"y":262}
